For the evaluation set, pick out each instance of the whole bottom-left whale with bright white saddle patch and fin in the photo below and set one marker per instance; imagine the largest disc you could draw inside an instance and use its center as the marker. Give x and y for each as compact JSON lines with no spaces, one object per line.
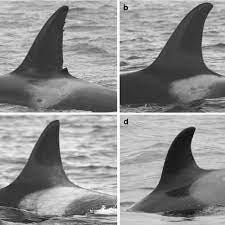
{"x":43,"y":187}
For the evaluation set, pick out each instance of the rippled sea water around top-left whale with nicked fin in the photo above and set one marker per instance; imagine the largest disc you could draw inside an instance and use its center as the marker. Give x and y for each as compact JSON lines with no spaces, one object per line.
{"x":89,"y":45}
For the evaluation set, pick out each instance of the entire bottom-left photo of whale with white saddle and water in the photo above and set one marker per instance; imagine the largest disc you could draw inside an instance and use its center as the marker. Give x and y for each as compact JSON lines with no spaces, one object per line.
{"x":58,"y":169}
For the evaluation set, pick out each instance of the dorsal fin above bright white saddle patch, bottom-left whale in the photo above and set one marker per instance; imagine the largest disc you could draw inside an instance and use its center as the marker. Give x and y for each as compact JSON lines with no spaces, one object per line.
{"x":44,"y":168}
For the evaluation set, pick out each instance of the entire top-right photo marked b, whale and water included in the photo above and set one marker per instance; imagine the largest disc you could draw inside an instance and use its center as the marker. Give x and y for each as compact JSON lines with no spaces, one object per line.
{"x":172,"y":56}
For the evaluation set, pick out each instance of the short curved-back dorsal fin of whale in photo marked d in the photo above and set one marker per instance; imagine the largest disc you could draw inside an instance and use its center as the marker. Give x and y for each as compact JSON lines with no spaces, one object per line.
{"x":180,"y":168}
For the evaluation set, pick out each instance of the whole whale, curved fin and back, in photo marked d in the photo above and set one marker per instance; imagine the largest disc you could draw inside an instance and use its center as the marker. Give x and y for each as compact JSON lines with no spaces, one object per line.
{"x":184,"y":187}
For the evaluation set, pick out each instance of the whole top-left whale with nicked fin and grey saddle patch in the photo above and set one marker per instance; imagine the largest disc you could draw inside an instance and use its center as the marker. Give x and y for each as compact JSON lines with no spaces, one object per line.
{"x":41,"y":82}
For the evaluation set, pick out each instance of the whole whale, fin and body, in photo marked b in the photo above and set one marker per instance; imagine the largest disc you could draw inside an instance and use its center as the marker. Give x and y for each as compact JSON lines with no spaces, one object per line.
{"x":179,"y":74}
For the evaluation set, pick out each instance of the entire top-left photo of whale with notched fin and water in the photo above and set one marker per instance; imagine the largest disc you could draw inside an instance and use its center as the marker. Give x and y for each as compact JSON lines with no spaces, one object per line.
{"x":58,"y":56}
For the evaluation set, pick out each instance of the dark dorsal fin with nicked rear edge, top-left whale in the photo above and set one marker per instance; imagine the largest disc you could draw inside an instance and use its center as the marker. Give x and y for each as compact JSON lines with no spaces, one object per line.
{"x":46,"y":54}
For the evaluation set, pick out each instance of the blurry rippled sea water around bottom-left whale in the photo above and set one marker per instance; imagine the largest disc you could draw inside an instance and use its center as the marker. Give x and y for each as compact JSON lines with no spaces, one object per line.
{"x":88,"y":151}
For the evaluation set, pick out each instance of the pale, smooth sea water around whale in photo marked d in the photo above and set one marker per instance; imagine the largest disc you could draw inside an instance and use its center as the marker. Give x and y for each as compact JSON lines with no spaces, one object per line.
{"x":144,"y":145}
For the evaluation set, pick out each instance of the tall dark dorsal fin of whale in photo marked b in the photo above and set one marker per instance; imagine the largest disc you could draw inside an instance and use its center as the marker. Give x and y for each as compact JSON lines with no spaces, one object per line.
{"x":182,"y":54}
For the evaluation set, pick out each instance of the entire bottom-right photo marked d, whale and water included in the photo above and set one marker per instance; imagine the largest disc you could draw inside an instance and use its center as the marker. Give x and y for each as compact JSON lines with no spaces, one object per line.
{"x":172,"y":169}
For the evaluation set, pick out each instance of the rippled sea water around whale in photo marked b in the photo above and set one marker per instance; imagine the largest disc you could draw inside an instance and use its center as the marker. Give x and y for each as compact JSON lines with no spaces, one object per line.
{"x":145,"y":29}
